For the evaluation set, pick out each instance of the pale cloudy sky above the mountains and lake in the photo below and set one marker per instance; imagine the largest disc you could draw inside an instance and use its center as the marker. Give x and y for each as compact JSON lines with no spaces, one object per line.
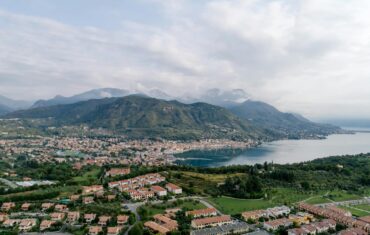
{"x":310,"y":57}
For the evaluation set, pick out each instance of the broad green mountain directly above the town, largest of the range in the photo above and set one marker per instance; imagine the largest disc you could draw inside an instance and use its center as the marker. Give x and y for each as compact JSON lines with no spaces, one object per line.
{"x":139,"y":116}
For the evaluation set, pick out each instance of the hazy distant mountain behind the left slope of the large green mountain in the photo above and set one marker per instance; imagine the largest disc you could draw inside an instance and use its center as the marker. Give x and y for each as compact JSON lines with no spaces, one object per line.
{"x":88,"y":95}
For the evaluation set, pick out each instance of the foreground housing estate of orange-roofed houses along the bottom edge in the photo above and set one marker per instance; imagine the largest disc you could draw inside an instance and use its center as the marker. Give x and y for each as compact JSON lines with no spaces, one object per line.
{"x":118,"y":207}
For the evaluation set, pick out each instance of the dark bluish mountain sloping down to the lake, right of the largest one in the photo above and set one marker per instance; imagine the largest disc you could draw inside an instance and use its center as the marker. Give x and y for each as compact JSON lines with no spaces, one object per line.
{"x":281,"y":124}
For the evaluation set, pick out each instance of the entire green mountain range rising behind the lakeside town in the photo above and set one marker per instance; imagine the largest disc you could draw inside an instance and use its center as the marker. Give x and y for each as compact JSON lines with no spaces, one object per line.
{"x":143,"y":116}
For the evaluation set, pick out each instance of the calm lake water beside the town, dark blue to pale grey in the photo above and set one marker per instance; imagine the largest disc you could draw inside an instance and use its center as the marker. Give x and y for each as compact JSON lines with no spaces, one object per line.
{"x":283,"y":151}
